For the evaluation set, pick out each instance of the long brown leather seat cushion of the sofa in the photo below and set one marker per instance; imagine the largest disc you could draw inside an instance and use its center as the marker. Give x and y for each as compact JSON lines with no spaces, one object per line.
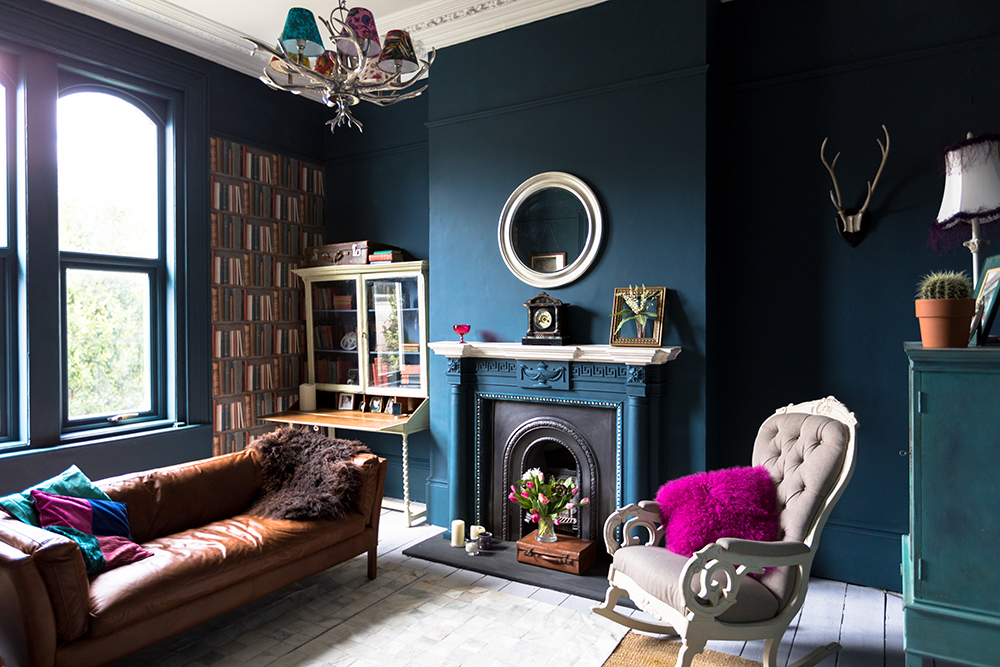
{"x":193,"y":563}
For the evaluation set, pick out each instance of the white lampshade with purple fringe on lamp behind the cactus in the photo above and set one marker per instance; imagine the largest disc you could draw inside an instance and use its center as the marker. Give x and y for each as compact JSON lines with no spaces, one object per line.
{"x":971,"y":191}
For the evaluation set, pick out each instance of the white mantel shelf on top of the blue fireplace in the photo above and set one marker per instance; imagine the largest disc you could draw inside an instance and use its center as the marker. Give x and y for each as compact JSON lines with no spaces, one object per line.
{"x":633,"y":356}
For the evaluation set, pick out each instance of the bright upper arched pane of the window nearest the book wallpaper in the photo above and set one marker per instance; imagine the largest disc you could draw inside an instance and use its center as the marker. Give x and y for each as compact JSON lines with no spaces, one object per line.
{"x":108,"y":179}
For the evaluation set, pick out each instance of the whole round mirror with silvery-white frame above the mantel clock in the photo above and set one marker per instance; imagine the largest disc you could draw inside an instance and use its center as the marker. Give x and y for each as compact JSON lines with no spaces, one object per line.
{"x":550,"y":230}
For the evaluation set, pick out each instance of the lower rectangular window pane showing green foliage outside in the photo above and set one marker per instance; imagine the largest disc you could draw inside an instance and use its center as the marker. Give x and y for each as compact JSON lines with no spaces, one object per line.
{"x":108,"y":339}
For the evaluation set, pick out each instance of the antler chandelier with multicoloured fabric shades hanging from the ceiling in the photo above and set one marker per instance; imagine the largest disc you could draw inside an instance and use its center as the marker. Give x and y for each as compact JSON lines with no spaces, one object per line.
{"x":357,"y":68}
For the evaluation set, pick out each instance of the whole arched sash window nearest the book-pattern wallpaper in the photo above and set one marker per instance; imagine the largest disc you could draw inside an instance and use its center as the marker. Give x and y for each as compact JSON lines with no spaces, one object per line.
{"x":111,"y":170}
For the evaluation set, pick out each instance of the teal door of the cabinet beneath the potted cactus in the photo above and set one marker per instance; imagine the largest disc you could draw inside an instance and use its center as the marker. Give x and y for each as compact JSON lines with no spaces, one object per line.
{"x":955,"y":527}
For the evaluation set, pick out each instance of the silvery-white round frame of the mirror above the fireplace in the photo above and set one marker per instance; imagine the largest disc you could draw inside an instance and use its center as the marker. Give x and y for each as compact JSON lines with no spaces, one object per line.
{"x":573,"y":271}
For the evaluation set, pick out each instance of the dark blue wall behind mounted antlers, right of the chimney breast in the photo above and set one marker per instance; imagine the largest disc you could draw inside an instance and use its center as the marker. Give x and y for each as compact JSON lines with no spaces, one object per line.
{"x":804,"y":314}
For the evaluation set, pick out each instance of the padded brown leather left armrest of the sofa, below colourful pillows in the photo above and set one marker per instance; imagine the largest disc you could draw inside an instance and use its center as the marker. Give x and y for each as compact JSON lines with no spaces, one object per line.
{"x":60,"y":565}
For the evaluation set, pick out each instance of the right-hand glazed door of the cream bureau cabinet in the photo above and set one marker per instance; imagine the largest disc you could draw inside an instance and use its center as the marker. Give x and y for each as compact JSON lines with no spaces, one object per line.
{"x":395,"y":335}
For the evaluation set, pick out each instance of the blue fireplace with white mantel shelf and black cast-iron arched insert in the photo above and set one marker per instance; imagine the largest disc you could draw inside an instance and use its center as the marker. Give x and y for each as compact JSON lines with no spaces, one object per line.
{"x":595,"y":412}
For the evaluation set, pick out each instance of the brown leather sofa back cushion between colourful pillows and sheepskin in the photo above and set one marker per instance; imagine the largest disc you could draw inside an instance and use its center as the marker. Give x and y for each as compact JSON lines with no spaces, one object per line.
{"x":172,"y":499}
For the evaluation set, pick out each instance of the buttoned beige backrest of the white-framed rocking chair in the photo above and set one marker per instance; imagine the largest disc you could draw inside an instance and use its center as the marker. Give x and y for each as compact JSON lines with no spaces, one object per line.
{"x":810,"y":451}
